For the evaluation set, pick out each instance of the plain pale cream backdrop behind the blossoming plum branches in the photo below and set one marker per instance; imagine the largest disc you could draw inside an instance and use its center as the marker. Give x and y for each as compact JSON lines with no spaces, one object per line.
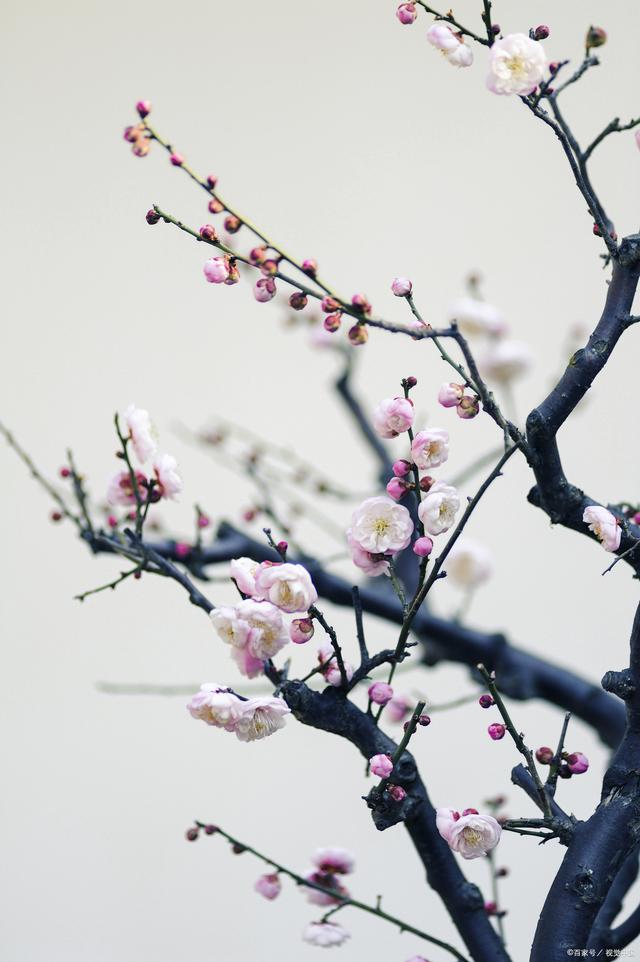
{"x":350,"y":139}
